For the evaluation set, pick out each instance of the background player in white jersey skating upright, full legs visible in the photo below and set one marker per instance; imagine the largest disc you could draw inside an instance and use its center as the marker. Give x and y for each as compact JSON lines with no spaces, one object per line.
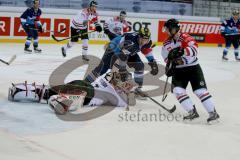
{"x":79,"y":28}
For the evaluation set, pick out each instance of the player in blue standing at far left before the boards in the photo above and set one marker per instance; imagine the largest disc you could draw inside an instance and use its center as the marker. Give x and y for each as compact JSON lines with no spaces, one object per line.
{"x":30,"y":21}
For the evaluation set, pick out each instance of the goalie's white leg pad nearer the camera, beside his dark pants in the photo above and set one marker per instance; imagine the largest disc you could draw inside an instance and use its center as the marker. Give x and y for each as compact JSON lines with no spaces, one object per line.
{"x":63,"y":103}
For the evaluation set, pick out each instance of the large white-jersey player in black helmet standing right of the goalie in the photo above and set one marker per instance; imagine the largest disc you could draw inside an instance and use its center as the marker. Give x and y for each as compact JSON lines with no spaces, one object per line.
{"x":180,"y":53}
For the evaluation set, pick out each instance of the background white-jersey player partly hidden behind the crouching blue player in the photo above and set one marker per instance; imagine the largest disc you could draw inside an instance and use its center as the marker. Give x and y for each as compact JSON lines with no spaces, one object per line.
{"x":116,"y":25}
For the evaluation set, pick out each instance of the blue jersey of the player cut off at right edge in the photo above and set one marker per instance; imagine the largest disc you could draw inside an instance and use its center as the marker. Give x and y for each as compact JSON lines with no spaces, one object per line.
{"x":230,"y":26}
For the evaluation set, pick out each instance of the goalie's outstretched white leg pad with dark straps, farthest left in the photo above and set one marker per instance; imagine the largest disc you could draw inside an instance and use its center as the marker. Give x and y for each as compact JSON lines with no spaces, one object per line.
{"x":26,"y":92}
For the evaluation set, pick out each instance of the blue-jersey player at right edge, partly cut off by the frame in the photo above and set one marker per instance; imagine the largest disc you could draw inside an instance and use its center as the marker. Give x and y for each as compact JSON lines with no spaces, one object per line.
{"x":230,"y":30}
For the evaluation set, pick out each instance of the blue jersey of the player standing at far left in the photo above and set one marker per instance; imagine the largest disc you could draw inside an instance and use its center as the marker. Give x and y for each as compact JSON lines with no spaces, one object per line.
{"x":31,"y":17}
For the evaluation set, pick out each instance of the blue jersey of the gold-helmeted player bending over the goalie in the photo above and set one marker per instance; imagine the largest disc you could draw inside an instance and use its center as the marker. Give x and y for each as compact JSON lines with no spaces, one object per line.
{"x":133,"y":39}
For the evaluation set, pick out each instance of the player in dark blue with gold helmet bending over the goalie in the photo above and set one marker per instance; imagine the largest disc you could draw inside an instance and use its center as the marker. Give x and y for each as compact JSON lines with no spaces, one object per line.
{"x":125,"y":48}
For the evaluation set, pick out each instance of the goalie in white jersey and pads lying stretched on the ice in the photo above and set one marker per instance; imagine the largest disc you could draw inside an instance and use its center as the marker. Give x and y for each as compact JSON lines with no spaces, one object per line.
{"x":107,"y":89}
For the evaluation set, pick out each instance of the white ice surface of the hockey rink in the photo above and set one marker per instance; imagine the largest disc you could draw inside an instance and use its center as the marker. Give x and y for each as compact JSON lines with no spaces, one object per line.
{"x":32,"y":131}
